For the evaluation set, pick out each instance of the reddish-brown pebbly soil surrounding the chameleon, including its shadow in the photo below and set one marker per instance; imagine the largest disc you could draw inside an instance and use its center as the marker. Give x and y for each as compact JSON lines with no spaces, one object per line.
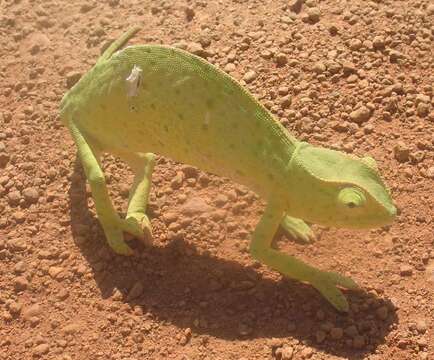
{"x":353,"y":75}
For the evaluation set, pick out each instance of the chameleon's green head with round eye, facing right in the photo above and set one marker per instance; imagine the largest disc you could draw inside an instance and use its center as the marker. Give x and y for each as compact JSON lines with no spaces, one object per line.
{"x":335,"y":189}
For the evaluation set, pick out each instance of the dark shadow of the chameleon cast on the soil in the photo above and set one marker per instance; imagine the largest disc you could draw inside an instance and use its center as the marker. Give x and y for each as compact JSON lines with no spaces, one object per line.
{"x":222,"y":298}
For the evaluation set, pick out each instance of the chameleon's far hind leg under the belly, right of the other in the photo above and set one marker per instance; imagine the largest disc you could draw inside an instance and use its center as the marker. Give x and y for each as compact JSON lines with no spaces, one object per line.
{"x":142,"y":165}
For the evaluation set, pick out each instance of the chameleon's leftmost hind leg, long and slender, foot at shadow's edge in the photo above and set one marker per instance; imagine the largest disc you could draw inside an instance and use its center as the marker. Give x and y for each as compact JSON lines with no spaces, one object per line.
{"x":112,"y":224}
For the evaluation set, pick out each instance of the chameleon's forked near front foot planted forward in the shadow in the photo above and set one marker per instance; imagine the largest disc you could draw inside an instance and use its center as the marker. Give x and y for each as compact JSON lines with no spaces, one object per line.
{"x":326,"y":283}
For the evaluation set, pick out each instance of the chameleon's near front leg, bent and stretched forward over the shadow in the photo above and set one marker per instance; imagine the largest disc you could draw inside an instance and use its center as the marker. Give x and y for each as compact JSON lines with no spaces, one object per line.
{"x":324,"y":282}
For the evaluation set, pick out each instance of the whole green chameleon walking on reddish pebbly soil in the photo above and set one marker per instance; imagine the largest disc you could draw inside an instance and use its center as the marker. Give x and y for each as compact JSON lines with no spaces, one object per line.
{"x":158,"y":99}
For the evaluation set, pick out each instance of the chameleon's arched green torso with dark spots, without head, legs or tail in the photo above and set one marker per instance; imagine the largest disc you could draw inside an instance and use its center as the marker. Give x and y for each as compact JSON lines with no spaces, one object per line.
{"x":183,"y":108}
